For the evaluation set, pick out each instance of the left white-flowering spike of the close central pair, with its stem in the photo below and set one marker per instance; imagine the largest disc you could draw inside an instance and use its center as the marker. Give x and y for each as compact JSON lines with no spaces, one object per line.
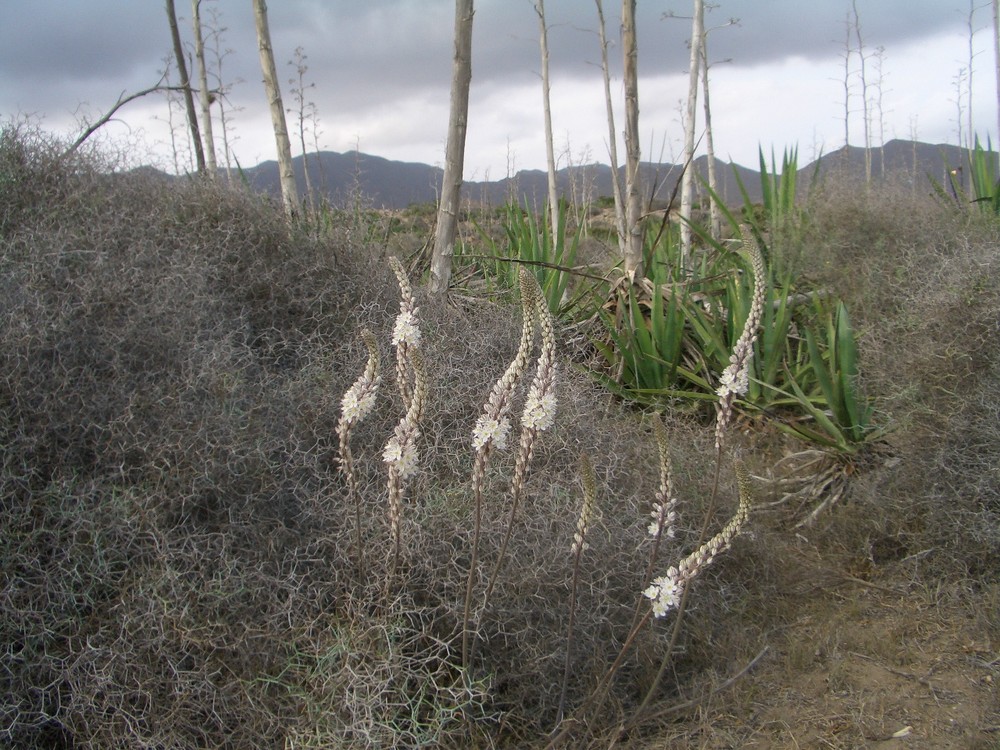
{"x":491,"y":432}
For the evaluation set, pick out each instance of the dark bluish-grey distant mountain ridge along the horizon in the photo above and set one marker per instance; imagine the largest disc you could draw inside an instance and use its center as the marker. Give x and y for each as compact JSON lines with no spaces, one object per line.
{"x":383,"y":183}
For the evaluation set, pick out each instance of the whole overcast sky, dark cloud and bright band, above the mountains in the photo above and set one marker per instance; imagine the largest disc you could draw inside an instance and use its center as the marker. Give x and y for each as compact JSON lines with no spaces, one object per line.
{"x":381,"y":72}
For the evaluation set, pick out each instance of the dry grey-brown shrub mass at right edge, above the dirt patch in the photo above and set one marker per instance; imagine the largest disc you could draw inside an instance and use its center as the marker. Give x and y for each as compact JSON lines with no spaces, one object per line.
{"x":924,"y":298}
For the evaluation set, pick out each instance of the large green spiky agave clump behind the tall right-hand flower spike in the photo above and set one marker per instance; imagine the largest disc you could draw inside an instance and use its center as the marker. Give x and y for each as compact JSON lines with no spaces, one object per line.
{"x":671,"y":336}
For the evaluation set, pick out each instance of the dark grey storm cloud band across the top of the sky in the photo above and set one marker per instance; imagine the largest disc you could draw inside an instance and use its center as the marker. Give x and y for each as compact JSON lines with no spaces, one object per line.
{"x":374,"y":51}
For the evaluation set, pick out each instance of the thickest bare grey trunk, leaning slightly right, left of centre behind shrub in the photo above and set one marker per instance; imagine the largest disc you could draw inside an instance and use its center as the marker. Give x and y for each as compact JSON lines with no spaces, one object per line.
{"x":447,"y":218}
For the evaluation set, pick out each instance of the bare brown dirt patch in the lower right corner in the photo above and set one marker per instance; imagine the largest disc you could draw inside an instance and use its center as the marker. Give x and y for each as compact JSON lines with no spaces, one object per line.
{"x":881,"y":663}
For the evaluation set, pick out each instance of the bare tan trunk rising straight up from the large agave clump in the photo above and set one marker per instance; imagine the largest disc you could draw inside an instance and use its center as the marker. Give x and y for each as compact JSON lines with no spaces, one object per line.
{"x":633,"y":203}
